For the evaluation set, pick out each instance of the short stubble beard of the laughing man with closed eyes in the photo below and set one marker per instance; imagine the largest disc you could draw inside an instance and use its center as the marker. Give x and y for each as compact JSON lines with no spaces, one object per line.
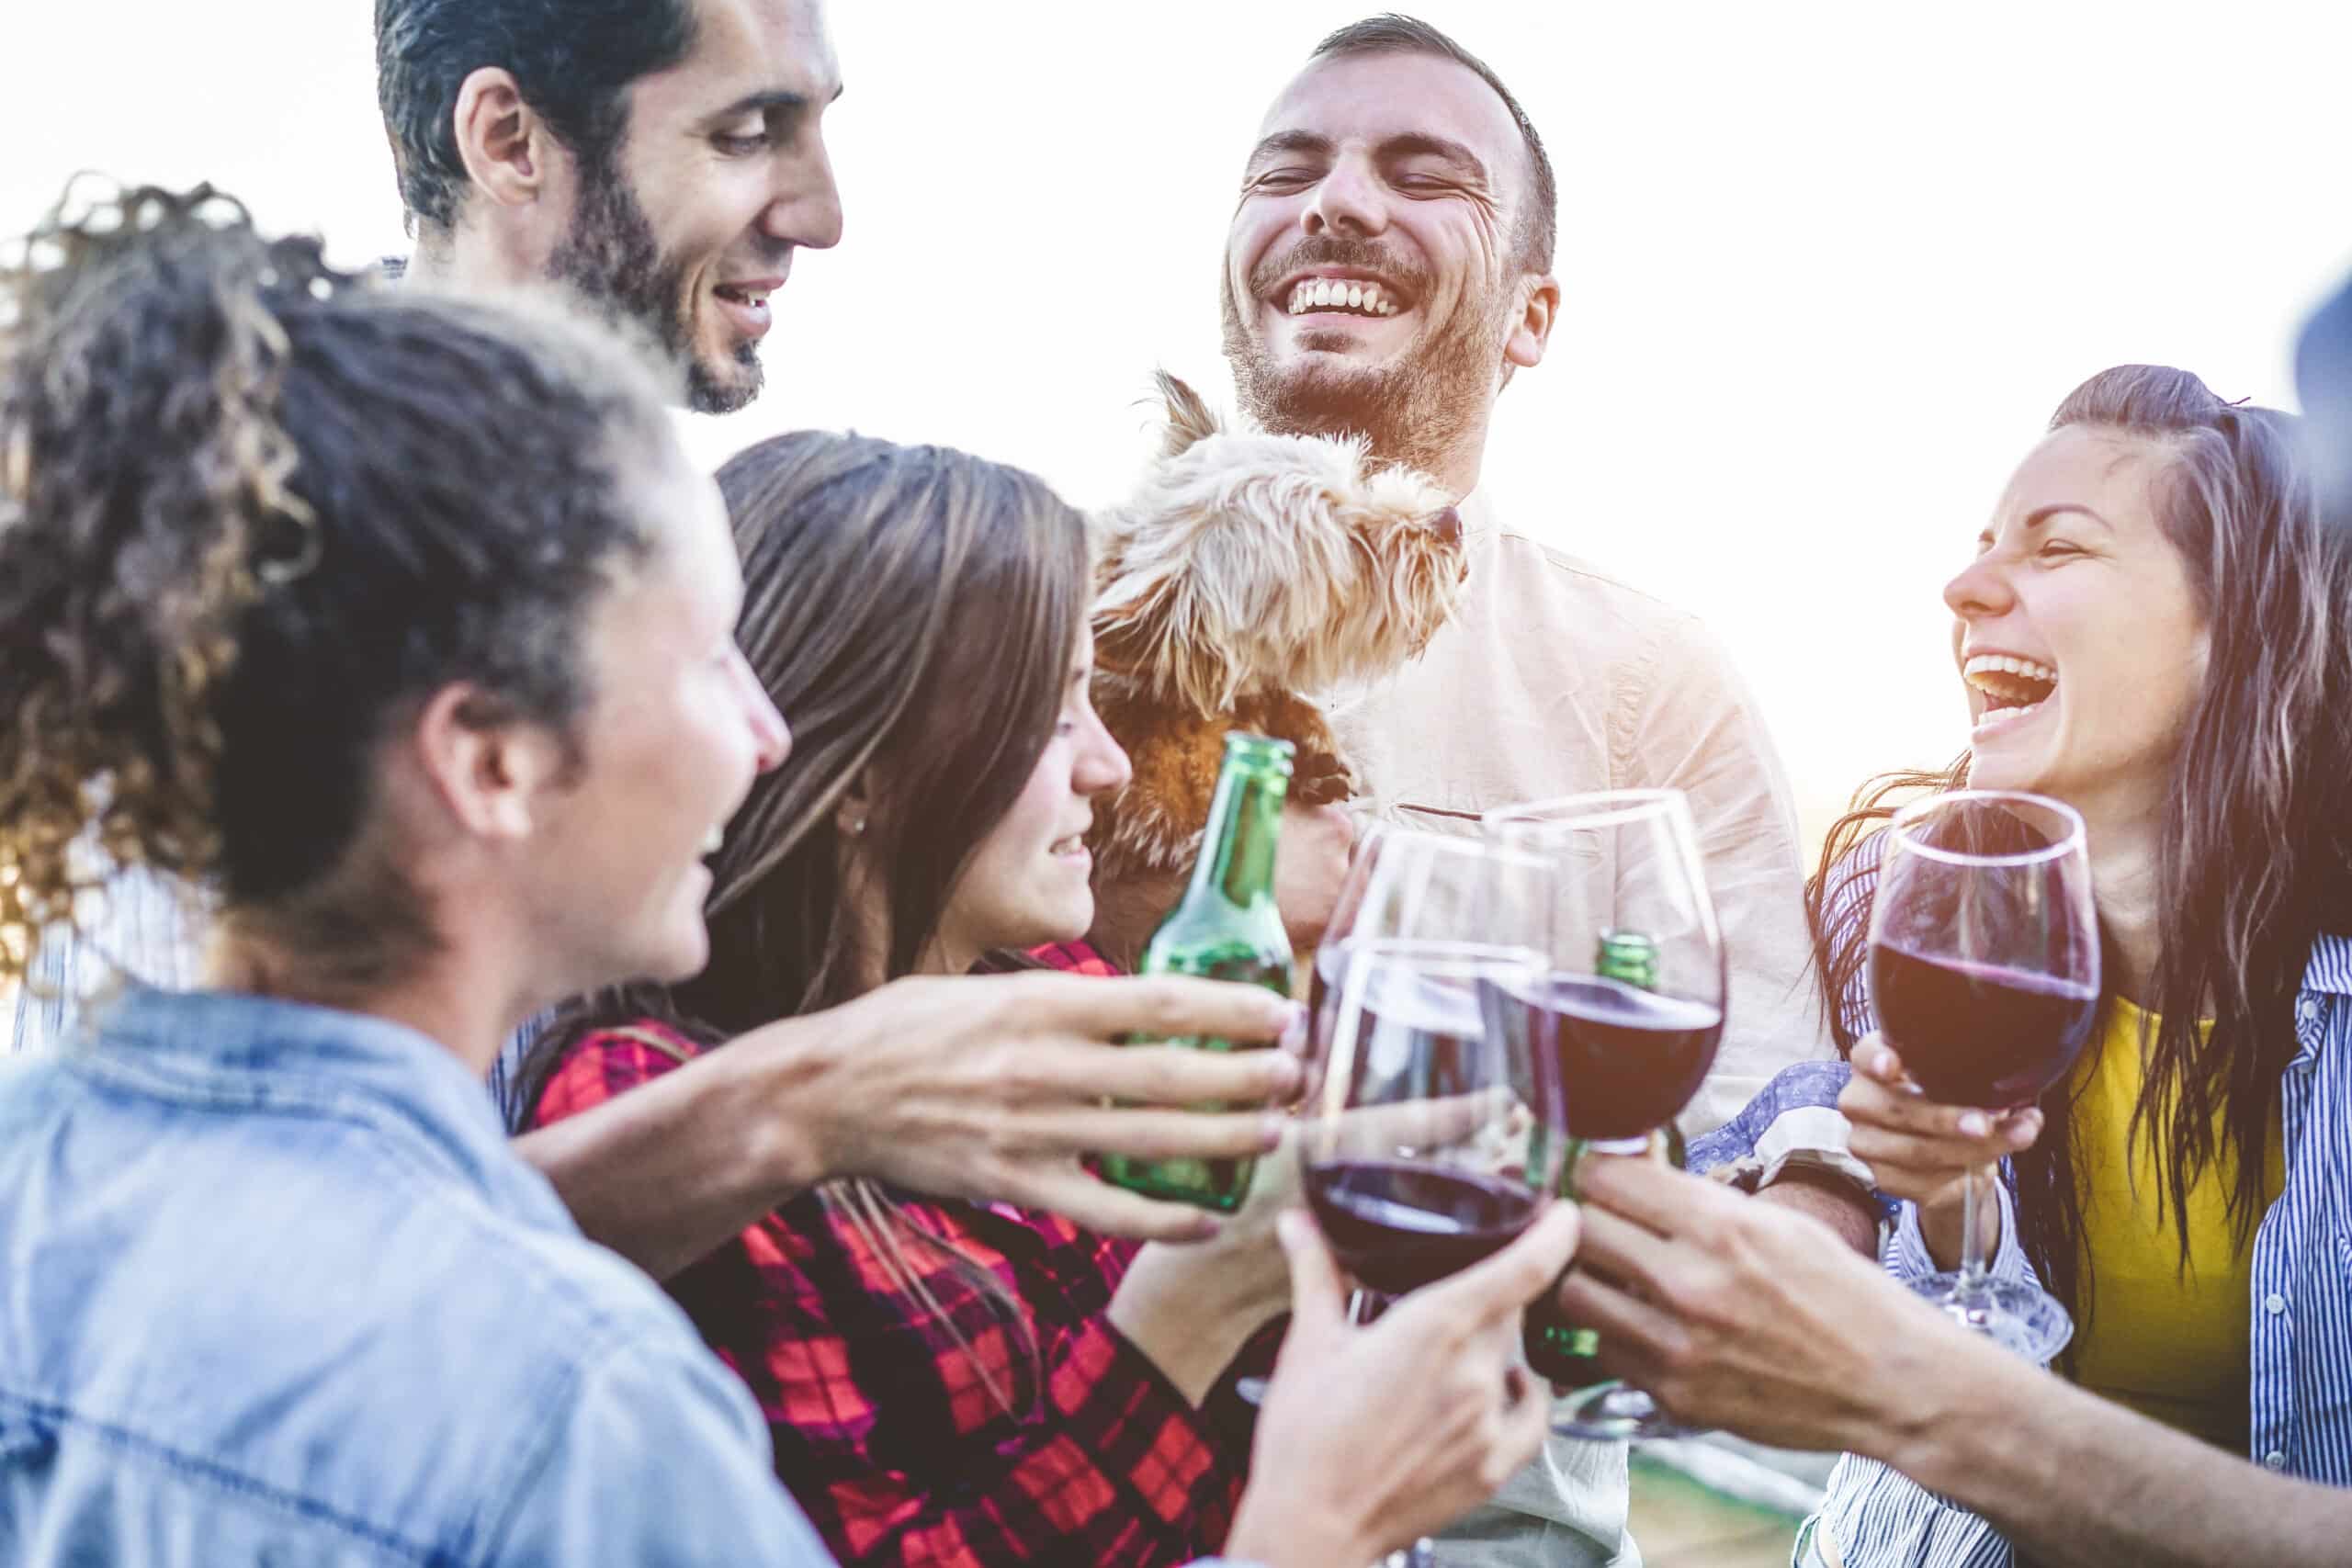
{"x":1415,"y":410}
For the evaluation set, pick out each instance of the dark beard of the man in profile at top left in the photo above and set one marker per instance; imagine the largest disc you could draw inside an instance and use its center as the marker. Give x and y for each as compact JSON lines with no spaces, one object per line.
{"x":613,"y":260}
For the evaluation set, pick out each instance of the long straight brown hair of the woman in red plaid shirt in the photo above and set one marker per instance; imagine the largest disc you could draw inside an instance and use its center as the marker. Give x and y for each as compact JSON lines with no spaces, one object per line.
{"x":914,"y":612}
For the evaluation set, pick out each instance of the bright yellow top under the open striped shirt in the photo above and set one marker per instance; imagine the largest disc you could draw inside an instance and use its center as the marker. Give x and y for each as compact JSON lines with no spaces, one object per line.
{"x":2170,"y":1343}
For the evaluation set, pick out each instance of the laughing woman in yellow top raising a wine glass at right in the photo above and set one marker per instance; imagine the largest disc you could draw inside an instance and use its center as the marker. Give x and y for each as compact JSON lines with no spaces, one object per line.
{"x":2139,"y":636}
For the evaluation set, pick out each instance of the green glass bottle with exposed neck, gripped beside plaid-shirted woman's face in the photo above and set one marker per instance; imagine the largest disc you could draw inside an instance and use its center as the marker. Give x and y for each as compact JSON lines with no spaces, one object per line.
{"x":1227,"y":927}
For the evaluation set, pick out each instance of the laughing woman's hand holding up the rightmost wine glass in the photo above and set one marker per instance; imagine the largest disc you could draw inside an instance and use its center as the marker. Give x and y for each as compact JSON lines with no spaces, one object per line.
{"x":1923,"y":1151}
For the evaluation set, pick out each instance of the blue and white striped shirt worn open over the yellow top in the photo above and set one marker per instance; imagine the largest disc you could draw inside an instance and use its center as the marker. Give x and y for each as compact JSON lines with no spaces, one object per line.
{"x":2301,"y":1311}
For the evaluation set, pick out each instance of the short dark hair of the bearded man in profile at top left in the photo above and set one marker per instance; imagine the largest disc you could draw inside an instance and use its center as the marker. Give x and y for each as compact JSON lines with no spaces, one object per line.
{"x":573,"y":62}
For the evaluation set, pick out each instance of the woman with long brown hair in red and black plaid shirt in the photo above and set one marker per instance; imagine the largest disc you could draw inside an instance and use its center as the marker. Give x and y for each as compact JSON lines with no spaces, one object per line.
{"x":944,"y":1381}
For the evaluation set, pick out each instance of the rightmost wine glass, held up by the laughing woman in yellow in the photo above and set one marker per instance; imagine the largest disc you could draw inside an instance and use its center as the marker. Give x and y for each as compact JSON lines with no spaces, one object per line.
{"x":1984,"y":972}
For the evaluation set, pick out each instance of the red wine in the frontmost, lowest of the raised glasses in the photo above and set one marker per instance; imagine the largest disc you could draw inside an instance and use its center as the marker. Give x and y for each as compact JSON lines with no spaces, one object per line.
{"x":1401,"y":1226}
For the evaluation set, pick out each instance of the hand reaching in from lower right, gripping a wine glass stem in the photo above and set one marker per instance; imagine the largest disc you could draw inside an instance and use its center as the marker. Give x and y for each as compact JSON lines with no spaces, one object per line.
{"x":1749,"y":1318}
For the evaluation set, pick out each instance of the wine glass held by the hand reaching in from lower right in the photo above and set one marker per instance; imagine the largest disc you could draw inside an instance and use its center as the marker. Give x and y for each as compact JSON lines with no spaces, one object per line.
{"x":1629,"y":1014}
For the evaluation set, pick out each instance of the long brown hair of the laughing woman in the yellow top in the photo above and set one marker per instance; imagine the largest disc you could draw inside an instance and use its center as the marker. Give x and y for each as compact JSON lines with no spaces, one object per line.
{"x":2254,"y":855}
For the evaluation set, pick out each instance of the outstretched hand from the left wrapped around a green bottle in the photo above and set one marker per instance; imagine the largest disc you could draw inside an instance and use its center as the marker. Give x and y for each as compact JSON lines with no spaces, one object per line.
{"x":994,"y":1090}
